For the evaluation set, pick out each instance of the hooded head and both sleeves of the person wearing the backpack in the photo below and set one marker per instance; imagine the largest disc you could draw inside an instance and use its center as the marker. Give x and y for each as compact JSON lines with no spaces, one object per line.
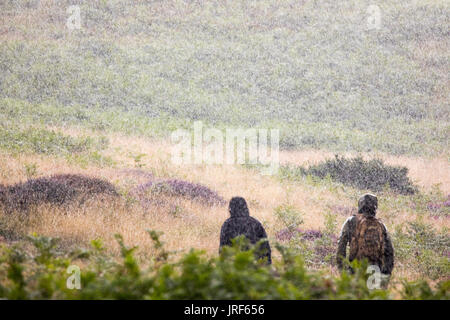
{"x":367,"y":205}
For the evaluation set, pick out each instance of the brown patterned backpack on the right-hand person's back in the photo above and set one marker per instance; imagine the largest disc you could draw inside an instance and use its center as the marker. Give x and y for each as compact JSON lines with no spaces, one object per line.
{"x":367,"y":240}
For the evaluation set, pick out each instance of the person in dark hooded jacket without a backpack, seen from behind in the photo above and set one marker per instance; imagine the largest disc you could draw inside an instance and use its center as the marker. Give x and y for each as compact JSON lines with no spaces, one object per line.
{"x":240,"y":223}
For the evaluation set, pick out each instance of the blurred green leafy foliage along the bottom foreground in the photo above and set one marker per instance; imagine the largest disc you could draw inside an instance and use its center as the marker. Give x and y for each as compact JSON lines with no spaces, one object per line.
{"x":45,"y":273}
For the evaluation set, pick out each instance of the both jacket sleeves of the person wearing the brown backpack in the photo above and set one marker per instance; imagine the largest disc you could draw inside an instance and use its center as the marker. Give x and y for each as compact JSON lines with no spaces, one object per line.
{"x":348,"y":229}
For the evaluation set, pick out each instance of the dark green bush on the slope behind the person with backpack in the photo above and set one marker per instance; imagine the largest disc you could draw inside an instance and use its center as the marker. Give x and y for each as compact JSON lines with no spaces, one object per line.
{"x":356,"y":172}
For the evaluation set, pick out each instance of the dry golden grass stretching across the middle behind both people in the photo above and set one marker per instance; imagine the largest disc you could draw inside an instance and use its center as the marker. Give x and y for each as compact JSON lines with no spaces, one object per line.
{"x":191,"y":225}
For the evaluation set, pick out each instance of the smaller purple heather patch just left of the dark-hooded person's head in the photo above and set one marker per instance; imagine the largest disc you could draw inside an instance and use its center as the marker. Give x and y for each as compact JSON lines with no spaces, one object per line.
{"x":180,"y":188}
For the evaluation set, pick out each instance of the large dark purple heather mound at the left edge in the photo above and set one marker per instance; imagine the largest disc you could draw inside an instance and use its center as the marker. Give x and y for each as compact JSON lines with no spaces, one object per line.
{"x":58,"y":189}
